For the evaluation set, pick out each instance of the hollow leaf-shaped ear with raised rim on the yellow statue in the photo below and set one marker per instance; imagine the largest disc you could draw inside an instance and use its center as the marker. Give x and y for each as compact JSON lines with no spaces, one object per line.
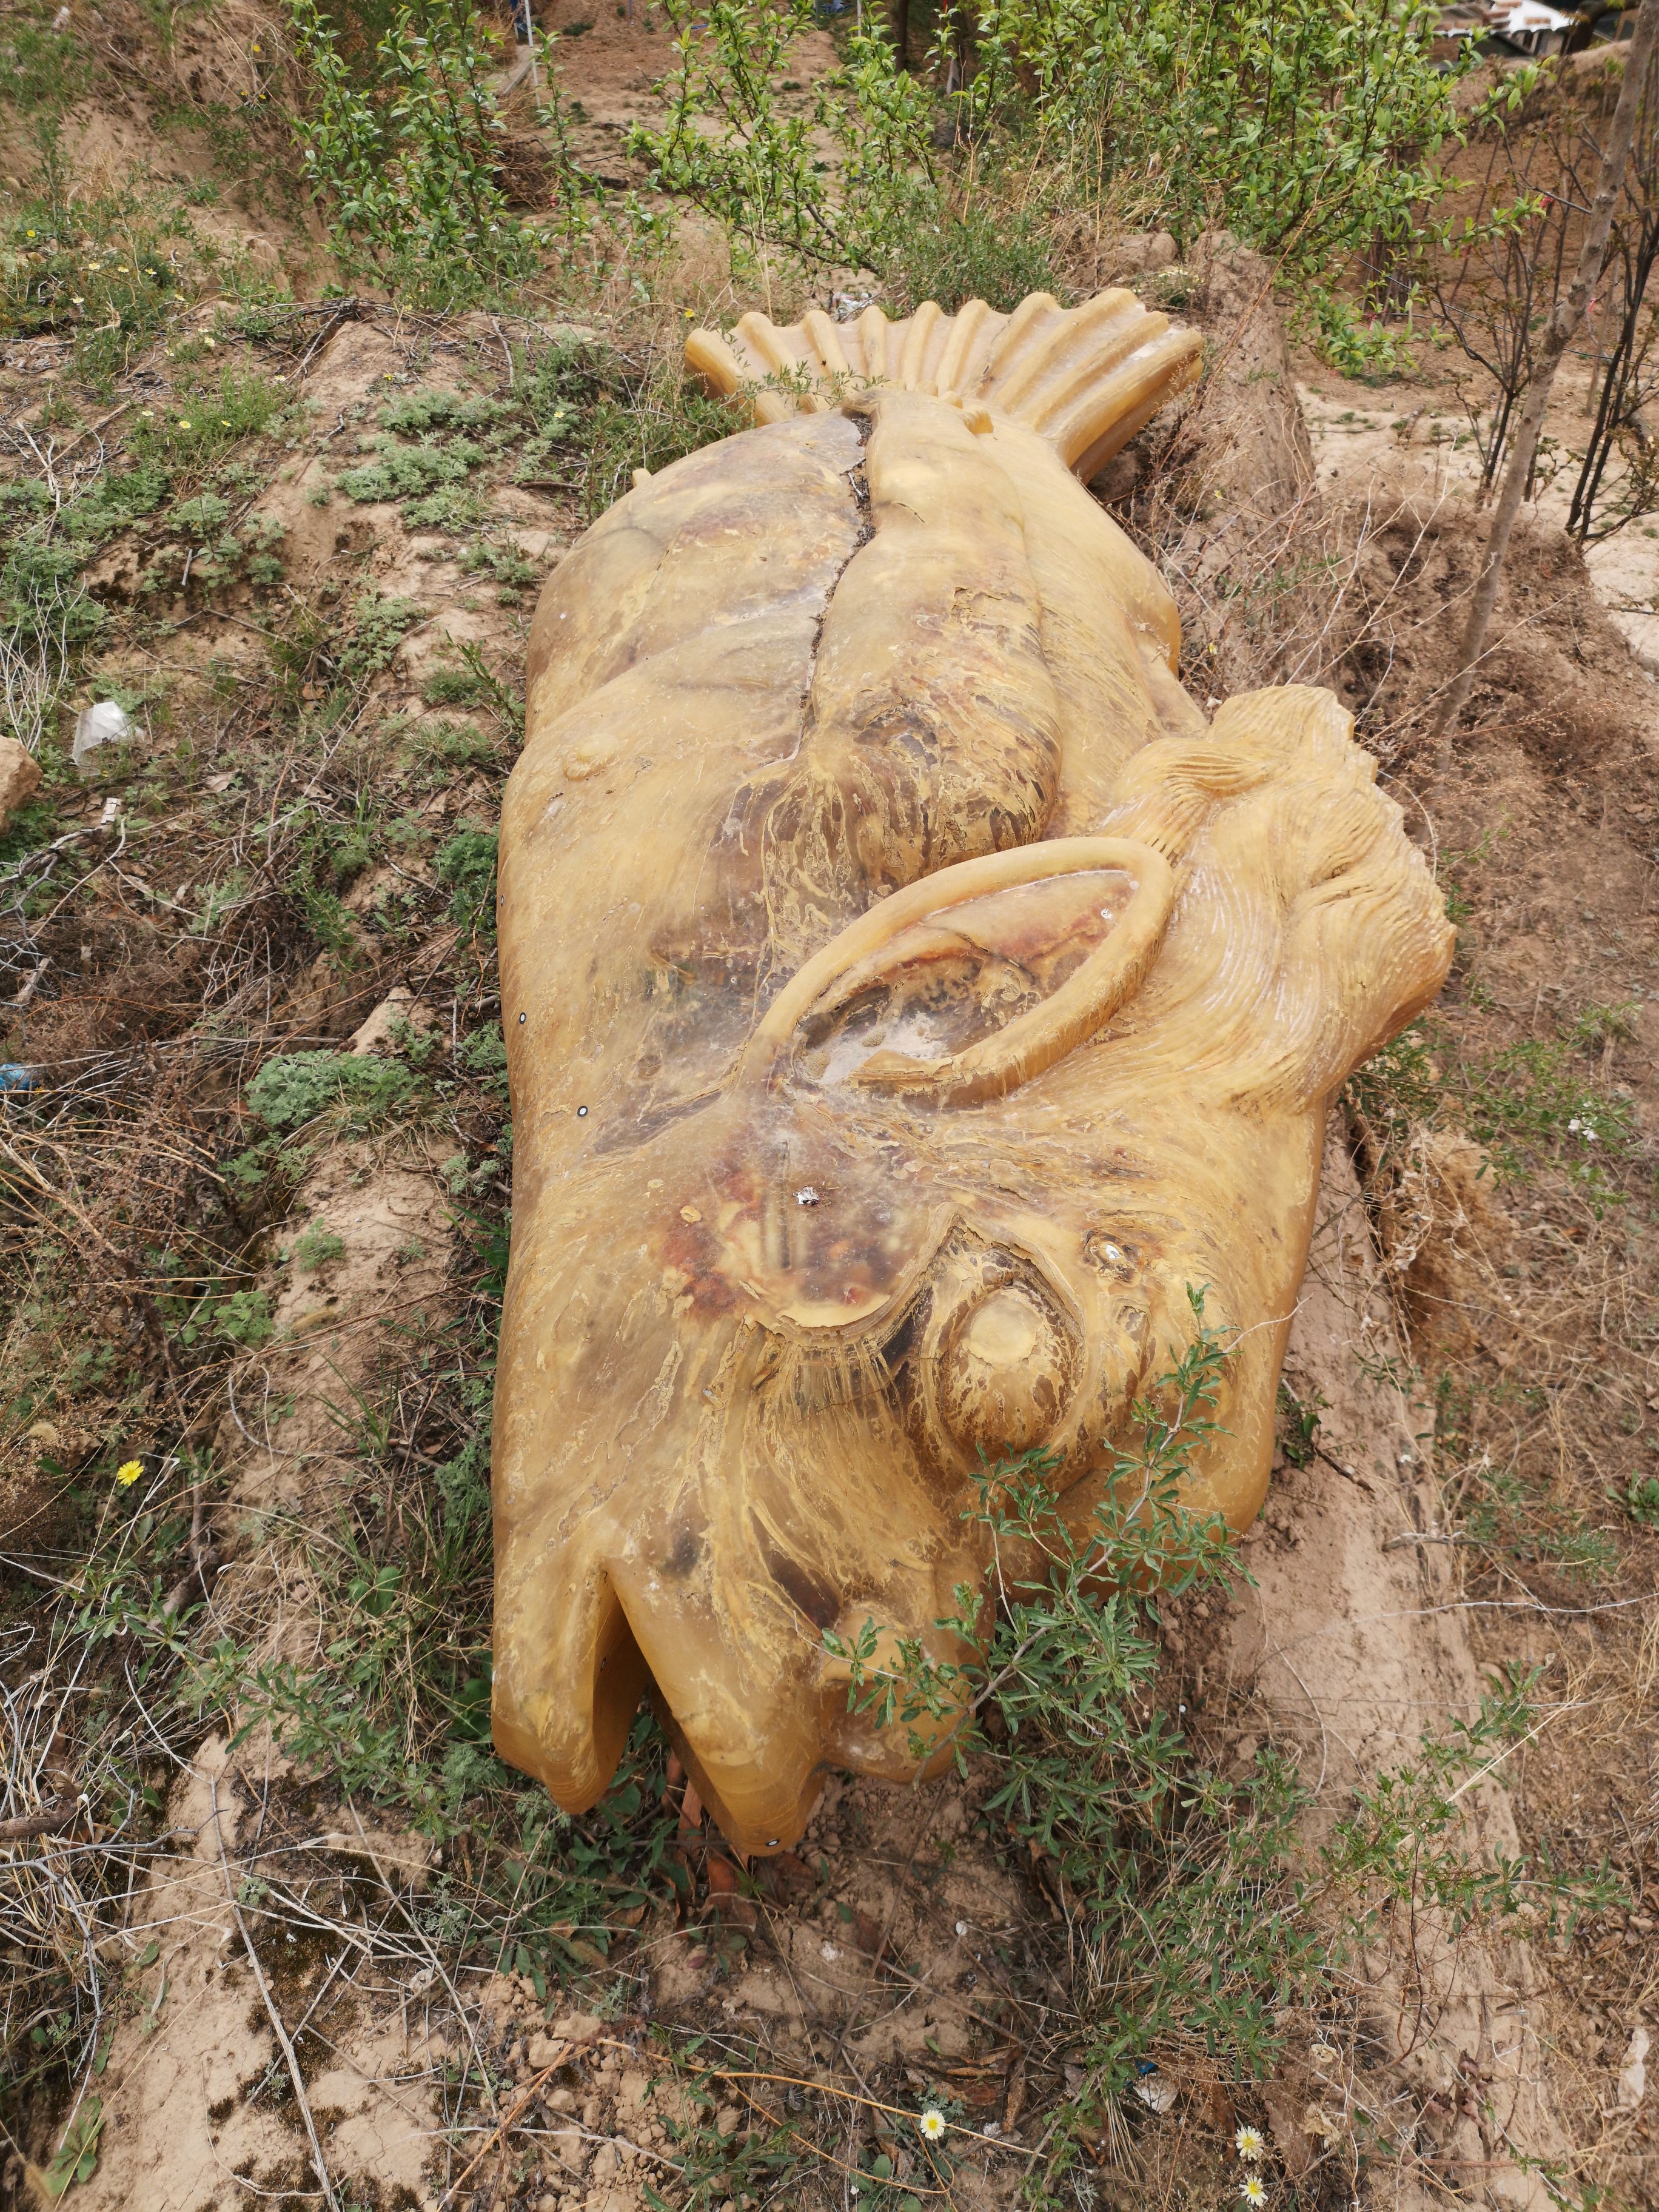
{"x":966,"y":985}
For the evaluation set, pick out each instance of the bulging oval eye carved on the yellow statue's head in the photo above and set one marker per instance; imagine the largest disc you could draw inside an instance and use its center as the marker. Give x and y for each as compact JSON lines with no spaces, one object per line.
{"x":1008,"y":1373}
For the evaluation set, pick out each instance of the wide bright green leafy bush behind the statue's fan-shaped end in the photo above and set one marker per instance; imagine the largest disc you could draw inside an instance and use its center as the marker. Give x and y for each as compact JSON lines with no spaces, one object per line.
{"x":1308,"y":132}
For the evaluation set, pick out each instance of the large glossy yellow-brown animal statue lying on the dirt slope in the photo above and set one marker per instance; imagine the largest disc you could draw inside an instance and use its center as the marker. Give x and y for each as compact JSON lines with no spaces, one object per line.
{"x":908,"y":997}
